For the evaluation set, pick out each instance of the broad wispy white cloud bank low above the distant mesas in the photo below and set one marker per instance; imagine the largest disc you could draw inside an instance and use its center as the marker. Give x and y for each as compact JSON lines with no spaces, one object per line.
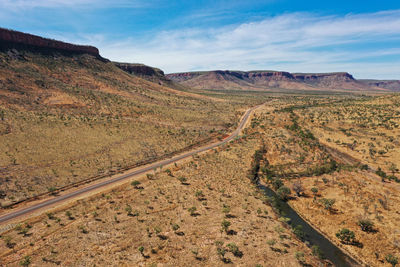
{"x":364,"y":44}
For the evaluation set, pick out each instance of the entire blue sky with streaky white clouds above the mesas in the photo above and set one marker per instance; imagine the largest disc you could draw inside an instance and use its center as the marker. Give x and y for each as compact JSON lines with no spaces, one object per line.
{"x":359,"y":37}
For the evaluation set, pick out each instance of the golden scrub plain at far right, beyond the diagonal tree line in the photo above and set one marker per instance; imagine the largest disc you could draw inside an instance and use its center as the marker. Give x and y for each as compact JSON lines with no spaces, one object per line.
{"x":367,"y":129}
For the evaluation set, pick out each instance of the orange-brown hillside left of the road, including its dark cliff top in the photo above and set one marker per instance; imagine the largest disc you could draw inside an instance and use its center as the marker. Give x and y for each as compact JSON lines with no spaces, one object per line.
{"x":67,"y":115}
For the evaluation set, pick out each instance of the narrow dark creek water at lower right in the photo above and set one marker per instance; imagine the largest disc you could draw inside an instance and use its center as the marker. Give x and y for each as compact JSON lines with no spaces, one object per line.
{"x":330,"y":251}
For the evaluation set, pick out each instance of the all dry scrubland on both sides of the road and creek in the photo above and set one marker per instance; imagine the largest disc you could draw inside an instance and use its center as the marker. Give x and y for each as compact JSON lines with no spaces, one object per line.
{"x":334,"y":158}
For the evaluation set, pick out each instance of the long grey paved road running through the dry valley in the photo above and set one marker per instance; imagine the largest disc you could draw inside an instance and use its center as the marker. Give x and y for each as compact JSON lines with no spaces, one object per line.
{"x":19,"y":213}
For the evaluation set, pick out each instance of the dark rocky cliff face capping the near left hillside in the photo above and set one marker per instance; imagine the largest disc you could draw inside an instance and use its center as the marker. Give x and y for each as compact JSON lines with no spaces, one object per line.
{"x":22,"y":41}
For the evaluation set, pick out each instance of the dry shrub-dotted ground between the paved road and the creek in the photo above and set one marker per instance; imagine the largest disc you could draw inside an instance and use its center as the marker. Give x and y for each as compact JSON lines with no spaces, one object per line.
{"x":158,"y":215}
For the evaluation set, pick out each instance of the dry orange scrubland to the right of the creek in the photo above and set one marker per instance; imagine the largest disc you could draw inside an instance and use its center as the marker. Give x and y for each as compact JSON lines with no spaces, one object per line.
{"x":318,"y":157}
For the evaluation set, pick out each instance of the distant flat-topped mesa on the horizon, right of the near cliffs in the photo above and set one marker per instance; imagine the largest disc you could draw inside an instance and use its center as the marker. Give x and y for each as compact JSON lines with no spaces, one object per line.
{"x":276,"y":80}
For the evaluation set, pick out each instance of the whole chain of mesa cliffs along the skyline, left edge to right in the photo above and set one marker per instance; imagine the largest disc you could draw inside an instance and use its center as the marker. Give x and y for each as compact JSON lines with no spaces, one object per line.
{"x":12,"y":41}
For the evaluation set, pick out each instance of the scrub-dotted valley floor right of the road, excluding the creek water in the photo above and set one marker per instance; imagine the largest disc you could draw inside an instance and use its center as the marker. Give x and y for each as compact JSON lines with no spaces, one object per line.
{"x":206,"y":211}
